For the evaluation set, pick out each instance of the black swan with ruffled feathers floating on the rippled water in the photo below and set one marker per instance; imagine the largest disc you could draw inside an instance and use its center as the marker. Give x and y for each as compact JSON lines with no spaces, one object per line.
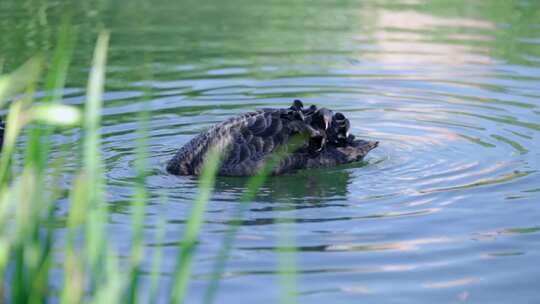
{"x":249,"y":139}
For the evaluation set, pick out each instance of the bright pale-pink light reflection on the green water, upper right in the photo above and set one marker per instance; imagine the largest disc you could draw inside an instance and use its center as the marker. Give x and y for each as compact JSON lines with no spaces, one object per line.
{"x":402,"y":40}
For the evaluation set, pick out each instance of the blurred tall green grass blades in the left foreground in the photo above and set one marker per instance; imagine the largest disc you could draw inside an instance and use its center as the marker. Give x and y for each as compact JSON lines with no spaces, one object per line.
{"x":91,"y":272}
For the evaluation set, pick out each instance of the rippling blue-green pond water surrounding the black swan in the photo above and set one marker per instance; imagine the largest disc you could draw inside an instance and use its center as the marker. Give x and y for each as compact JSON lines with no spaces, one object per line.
{"x":445,"y":210}
